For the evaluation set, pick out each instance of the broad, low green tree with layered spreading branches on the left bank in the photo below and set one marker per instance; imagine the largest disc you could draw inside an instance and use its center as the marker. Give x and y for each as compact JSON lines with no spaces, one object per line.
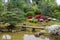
{"x":12,"y":18}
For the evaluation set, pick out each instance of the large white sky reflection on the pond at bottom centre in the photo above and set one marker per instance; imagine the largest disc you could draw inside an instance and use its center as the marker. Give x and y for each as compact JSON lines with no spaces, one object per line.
{"x":32,"y":37}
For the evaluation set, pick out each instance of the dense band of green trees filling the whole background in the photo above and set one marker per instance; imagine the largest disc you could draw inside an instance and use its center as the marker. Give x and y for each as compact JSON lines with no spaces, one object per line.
{"x":16,"y":9}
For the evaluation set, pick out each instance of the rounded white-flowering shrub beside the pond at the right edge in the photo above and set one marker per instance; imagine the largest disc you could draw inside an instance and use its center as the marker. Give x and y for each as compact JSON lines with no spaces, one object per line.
{"x":54,"y":29}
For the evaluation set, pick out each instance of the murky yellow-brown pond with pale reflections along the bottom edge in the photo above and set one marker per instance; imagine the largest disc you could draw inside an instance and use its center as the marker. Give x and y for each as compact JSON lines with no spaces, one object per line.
{"x":29,"y":36}
